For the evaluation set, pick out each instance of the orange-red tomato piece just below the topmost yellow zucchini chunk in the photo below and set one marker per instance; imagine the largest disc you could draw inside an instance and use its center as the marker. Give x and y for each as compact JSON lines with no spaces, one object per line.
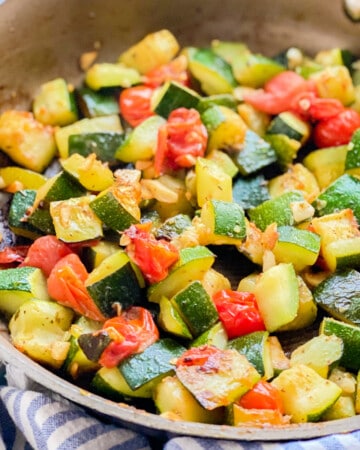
{"x":175,"y":70}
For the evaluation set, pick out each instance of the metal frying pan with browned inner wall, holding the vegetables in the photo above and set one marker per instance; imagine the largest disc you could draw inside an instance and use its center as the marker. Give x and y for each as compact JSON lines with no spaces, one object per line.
{"x":43,"y":39}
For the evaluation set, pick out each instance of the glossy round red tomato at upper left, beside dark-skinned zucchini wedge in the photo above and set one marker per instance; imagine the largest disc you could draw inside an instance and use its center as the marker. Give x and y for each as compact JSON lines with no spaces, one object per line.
{"x":135,"y":104}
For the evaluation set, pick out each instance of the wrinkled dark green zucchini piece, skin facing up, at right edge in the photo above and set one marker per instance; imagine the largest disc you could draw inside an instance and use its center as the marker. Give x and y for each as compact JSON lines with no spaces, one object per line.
{"x":339,"y":295}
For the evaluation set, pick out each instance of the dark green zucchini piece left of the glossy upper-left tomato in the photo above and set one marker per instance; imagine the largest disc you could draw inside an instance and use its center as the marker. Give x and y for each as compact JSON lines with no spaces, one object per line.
{"x":97,"y":103}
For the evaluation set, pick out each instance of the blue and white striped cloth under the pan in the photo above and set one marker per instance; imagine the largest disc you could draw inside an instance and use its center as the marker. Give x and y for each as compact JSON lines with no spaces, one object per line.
{"x":45,"y":421}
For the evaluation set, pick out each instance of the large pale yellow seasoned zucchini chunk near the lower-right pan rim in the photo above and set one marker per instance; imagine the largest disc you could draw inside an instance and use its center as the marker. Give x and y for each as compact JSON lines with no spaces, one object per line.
{"x":305,"y":394}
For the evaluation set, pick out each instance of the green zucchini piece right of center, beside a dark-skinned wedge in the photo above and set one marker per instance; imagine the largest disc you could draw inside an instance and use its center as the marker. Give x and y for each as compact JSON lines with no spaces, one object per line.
{"x":279,"y":210}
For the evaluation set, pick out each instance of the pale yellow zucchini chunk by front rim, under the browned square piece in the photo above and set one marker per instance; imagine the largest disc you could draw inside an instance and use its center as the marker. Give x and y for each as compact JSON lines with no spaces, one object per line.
{"x":171,"y":397}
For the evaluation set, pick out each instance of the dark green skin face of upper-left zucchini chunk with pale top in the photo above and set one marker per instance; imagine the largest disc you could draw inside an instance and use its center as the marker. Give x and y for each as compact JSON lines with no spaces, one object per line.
{"x":104,"y":145}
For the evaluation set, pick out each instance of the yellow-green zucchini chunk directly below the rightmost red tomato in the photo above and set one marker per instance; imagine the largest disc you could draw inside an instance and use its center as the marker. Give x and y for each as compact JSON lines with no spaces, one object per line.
{"x":327,"y":164}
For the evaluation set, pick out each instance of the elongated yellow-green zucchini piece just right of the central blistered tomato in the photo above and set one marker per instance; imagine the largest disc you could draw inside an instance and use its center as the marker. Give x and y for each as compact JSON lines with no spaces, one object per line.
{"x":194,"y":262}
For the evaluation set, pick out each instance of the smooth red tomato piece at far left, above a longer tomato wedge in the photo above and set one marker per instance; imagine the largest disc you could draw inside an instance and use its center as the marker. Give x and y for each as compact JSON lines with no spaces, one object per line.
{"x":45,"y":252}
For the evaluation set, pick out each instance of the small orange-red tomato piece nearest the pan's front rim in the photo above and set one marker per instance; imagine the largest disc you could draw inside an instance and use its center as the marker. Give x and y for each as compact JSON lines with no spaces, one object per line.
{"x":262,"y":396}
